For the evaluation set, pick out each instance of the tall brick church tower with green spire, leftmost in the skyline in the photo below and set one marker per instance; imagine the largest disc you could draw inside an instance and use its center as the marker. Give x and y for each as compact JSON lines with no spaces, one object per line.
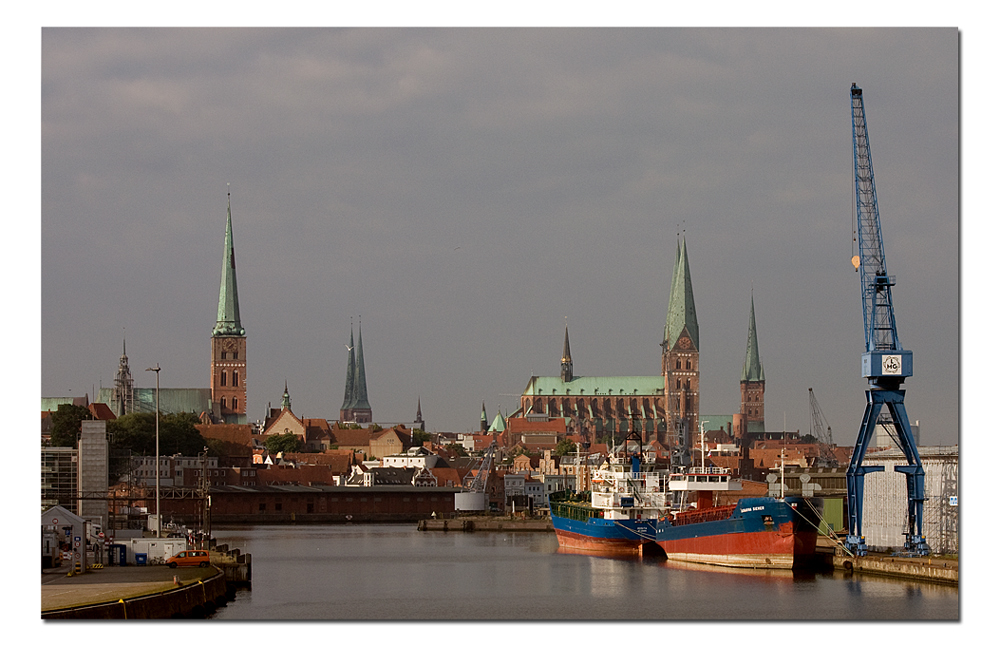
{"x":229,"y":342}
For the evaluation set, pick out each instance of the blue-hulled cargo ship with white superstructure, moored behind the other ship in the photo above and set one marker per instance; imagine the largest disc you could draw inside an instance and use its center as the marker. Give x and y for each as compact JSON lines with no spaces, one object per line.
{"x":619,"y":514}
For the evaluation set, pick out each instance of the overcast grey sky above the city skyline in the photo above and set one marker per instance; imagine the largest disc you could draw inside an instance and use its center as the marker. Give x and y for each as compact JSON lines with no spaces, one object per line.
{"x":464,"y":194}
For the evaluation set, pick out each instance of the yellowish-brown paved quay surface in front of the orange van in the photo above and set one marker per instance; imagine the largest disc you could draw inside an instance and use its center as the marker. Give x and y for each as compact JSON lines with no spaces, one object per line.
{"x":113,"y":583}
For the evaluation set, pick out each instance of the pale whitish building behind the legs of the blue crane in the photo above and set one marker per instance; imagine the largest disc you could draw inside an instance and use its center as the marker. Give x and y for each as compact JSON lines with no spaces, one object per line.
{"x":884,"y":519}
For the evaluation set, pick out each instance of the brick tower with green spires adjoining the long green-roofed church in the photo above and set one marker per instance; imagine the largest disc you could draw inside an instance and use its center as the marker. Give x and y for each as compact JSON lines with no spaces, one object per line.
{"x":680,"y":357}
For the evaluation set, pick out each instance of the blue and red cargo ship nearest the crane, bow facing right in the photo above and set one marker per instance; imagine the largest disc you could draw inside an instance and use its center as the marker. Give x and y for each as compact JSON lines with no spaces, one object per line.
{"x":753,"y":532}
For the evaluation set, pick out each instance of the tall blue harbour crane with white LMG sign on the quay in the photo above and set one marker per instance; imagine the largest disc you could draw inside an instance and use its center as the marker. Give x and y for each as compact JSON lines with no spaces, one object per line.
{"x":885,"y":363}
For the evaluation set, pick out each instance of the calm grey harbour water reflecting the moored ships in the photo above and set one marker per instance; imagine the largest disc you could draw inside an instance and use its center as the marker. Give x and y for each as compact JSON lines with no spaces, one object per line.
{"x":394,"y":572}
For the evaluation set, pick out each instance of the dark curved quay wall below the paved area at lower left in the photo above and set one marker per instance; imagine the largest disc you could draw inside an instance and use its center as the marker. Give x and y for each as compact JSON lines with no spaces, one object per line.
{"x":196,"y":599}
